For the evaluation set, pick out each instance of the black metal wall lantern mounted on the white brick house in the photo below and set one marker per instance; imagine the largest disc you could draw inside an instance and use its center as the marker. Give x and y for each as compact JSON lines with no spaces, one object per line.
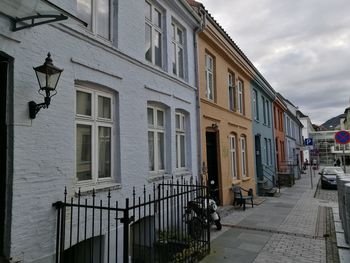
{"x":48,"y":76}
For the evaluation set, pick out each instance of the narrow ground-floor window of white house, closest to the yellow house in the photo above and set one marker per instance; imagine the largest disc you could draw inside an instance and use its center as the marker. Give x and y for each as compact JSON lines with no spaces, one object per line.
{"x":180,"y":140}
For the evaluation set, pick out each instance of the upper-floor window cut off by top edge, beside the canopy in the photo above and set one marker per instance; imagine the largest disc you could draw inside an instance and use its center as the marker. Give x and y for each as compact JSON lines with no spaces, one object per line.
{"x":97,"y":13}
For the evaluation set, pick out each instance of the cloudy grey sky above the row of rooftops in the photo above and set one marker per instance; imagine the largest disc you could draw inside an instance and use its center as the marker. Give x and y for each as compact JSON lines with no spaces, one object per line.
{"x":302,"y":48}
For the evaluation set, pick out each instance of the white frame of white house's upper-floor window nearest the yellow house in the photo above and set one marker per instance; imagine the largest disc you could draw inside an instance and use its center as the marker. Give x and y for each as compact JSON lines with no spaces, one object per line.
{"x":177,"y":45}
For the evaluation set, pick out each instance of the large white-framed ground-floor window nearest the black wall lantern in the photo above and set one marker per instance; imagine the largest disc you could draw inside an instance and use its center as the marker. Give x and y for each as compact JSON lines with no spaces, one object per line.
{"x":94,"y":129}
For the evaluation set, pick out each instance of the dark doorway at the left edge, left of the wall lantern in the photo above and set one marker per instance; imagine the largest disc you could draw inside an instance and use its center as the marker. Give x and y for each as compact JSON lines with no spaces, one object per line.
{"x":5,"y":69}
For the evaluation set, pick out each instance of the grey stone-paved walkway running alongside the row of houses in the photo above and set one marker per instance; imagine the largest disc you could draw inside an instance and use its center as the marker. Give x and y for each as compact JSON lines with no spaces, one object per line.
{"x":288,"y":228}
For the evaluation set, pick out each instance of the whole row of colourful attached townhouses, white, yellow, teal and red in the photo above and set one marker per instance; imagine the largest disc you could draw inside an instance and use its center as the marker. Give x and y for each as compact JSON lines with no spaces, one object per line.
{"x":150,"y":90}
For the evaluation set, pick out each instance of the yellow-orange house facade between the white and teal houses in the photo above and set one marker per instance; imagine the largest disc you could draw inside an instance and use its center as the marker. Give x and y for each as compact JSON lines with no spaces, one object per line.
{"x":225,"y":112}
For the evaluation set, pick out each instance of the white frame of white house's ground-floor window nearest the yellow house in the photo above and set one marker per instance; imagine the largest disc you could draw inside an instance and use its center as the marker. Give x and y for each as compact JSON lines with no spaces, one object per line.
{"x":180,"y":132}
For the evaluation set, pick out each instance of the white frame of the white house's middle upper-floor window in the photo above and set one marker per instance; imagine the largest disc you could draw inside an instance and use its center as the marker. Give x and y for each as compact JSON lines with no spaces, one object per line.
{"x":155,"y":29}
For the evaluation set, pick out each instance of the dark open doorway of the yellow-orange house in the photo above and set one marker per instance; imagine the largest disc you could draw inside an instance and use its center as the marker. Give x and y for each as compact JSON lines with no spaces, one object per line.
{"x":212,"y":163}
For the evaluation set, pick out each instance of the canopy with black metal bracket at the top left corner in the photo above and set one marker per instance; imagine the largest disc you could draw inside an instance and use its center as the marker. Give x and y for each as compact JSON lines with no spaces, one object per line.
{"x":30,"y":13}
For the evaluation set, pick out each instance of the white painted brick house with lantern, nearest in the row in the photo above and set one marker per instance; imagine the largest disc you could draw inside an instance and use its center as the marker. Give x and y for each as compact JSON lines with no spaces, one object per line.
{"x":125,"y":113}
